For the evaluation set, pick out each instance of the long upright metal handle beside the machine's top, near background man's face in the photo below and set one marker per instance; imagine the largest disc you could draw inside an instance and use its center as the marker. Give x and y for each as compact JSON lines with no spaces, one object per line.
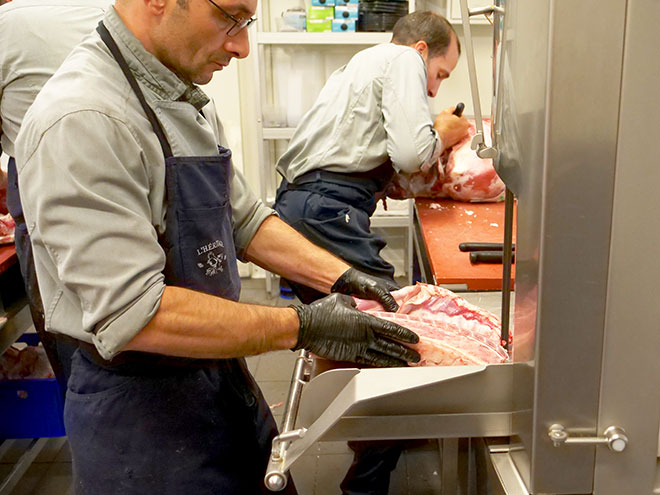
{"x":478,"y":142}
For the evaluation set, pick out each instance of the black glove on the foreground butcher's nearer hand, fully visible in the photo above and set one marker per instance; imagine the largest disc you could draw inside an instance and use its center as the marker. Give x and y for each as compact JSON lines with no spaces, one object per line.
{"x":332,"y":328}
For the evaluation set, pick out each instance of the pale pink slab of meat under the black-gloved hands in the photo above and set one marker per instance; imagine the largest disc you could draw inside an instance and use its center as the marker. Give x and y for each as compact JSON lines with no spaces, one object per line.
{"x":452,"y":331}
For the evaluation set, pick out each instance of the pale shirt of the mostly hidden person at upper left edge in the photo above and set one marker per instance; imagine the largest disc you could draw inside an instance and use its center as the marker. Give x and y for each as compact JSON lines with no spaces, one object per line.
{"x":33,"y":43}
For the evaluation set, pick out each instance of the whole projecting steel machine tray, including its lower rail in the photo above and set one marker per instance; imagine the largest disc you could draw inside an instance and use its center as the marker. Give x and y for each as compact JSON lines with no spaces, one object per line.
{"x":391,"y":403}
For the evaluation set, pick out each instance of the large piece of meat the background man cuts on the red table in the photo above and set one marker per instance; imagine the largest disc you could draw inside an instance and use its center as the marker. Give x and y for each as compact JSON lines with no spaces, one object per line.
{"x":464,"y":176}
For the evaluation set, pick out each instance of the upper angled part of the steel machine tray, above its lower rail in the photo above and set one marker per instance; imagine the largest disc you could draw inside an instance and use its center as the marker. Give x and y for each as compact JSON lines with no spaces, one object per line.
{"x":404,"y":391}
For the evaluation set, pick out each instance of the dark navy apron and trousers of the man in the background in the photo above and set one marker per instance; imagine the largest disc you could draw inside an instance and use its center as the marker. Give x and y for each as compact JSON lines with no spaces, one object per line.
{"x":333,"y":210}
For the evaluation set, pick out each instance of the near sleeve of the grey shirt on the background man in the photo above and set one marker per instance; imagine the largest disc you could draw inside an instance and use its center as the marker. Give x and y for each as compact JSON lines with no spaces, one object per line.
{"x":411,"y":139}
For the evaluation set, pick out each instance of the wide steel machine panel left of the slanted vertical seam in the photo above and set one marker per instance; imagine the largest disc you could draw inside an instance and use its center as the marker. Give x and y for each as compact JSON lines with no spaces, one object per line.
{"x":559,"y":110}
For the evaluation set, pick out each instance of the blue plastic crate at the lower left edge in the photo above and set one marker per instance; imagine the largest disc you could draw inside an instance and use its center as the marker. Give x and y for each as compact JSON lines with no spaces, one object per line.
{"x":31,"y":408}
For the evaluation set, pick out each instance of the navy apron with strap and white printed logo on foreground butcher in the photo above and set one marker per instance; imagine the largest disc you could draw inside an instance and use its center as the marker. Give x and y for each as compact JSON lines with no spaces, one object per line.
{"x":150,"y":424}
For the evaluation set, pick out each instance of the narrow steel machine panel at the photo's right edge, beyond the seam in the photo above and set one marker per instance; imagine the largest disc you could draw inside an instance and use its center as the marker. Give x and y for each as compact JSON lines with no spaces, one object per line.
{"x":630,"y":388}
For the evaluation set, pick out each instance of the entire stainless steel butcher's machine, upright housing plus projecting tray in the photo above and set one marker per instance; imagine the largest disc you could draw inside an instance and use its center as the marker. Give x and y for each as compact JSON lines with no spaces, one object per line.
{"x":576,"y":114}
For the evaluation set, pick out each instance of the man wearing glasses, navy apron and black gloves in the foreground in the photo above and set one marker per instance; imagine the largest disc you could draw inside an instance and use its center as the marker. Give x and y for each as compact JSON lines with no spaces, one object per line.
{"x":137,"y":219}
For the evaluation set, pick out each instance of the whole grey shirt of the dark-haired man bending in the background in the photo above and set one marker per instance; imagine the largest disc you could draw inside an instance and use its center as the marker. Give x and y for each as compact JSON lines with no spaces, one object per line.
{"x":372,"y":109}
